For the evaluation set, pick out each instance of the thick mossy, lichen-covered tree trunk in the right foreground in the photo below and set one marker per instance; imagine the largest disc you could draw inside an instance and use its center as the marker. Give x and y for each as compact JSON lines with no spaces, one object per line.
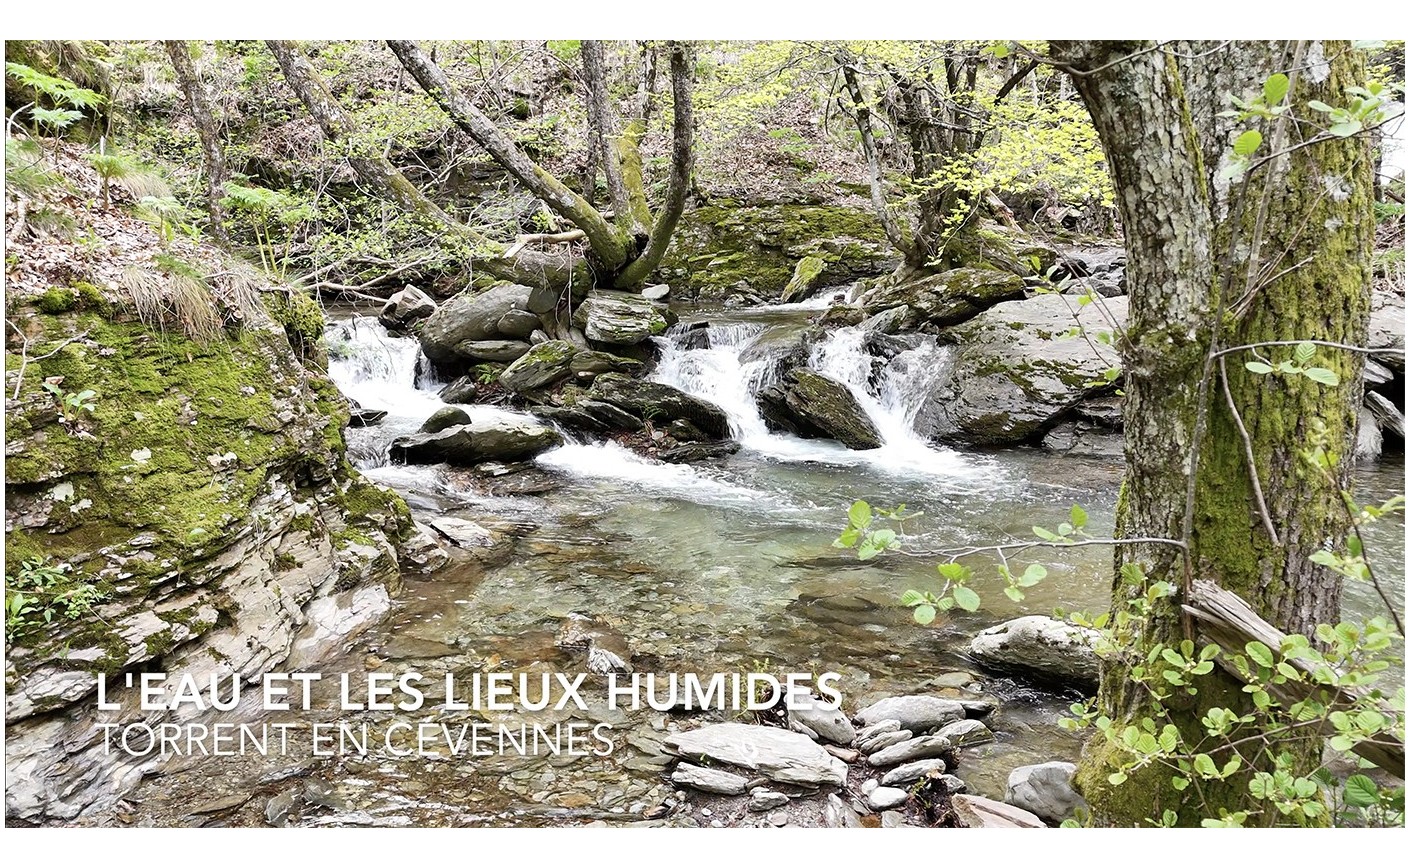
{"x":1282,"y":256}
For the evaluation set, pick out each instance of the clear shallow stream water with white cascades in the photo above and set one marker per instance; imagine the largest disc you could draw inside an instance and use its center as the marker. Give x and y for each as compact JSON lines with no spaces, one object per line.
{"x":725,"y":567}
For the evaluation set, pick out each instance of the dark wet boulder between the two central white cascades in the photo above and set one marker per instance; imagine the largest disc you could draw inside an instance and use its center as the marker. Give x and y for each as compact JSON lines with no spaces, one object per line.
{"x":813,"y":405}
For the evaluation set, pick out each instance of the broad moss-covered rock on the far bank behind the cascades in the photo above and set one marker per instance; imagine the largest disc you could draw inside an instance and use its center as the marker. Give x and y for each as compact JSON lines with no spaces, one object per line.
{"x":720,"y":246}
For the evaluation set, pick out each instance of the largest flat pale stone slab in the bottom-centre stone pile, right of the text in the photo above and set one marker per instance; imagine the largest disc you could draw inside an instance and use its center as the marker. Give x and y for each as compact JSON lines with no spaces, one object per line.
{"x":778,"y":755}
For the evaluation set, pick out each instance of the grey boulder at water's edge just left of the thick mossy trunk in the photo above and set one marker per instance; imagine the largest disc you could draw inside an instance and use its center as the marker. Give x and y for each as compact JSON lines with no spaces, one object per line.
{"x":1043,"y":647}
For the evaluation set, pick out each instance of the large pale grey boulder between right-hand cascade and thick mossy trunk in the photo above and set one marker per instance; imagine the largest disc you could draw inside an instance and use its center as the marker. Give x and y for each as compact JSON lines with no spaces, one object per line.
{"x":1019,"y":370}
